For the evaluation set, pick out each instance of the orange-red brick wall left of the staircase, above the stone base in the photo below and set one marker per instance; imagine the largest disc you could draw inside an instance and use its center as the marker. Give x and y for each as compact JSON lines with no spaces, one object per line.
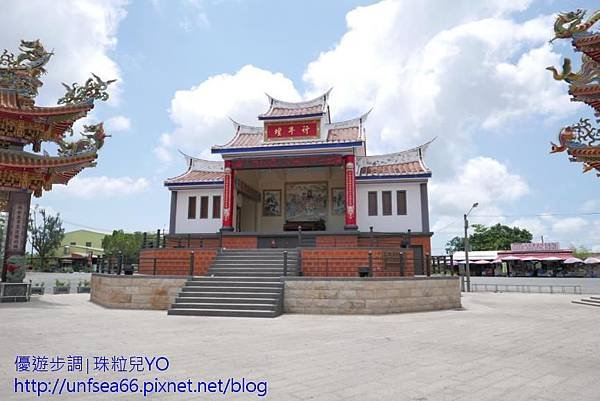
{"x":175,"y":262}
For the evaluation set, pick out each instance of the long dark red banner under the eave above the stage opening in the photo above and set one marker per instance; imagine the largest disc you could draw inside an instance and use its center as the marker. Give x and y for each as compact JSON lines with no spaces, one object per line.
{"x":287,"y":162}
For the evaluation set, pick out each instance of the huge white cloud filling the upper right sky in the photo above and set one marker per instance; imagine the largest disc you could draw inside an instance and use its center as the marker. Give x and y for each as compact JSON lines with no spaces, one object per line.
{"x":468,"y":69}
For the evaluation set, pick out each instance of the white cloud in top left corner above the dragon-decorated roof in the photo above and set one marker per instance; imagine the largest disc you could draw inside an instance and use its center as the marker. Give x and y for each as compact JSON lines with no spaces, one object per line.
{"x":81,"y":34}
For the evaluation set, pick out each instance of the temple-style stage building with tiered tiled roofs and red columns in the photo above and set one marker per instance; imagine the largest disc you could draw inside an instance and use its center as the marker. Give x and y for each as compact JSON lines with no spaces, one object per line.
{"x":298,"y":170}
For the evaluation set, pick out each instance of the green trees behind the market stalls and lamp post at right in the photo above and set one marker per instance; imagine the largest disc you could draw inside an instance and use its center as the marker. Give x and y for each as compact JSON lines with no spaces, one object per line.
{"x":496,"y":237}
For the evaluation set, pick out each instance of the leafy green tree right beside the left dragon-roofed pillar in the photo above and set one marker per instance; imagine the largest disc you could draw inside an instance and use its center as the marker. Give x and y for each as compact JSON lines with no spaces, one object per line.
{"x":46,"y":233}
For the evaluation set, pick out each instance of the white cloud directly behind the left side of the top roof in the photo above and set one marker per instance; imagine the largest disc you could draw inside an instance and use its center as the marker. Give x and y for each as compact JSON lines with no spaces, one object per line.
{"x":201,"y":112}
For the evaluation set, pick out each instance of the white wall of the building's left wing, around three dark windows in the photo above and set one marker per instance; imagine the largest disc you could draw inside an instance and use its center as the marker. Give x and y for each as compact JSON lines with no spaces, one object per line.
{"x":183,"y":225}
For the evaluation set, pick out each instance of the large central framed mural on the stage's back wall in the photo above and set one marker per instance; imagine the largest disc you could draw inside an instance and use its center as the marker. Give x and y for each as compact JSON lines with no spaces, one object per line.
{"x":306,"y":201}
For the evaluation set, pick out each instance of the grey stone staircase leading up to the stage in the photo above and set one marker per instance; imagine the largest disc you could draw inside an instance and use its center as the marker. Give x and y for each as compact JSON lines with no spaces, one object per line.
{"x":245,"y":283}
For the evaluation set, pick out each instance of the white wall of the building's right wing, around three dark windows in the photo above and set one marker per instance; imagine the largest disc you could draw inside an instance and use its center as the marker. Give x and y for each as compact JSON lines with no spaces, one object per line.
{"x":393,"y":223}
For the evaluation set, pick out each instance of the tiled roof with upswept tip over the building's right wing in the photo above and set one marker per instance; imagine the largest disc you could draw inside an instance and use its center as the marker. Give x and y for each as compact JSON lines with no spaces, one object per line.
{"x":409,"y":162}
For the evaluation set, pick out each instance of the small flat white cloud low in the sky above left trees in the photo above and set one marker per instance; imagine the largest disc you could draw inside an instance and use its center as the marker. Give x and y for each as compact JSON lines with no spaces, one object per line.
{"x":95,"y":187}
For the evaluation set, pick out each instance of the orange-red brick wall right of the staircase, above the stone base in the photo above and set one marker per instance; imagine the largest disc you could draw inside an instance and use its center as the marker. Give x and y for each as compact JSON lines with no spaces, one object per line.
{"x":345,"y":262}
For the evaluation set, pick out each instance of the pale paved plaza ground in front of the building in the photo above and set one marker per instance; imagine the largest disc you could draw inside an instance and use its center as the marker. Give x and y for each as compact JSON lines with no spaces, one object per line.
{"x":533,"y":347}
